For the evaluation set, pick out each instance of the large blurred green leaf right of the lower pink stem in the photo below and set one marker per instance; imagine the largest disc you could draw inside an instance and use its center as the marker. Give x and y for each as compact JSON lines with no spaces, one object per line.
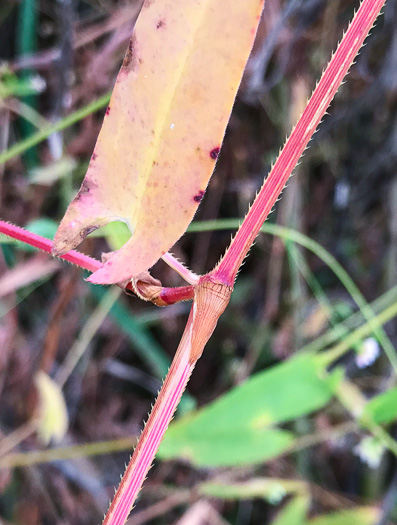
{"x":236,"y":429}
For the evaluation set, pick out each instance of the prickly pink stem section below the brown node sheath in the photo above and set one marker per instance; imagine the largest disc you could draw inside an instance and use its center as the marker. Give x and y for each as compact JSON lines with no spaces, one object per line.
{"x":155,"y":428}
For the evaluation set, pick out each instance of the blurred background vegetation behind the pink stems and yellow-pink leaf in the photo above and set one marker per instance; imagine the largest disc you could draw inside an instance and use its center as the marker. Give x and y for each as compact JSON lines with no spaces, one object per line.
{"x":297,"y":387}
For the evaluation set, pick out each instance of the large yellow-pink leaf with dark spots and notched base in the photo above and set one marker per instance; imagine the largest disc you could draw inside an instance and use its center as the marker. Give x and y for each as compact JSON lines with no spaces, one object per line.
{"x":163,"y":128}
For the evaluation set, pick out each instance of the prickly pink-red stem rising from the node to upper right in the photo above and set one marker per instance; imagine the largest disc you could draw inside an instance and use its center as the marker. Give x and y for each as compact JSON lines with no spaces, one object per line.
{"x":339,"y":65}
